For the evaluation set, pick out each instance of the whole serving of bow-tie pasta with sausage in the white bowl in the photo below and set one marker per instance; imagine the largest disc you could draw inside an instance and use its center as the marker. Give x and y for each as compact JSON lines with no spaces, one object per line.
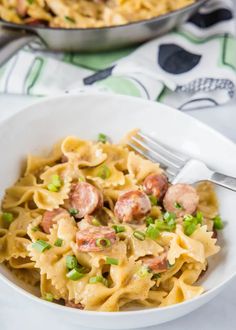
{"x":99,"y":227}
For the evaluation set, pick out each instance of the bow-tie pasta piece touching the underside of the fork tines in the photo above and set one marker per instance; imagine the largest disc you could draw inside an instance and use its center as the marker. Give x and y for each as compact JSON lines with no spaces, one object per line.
{"x":139,"y":167}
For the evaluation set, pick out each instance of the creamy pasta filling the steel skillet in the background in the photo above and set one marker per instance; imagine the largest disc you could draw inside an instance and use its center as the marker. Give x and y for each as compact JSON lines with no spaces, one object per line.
{"x":85,"y":13}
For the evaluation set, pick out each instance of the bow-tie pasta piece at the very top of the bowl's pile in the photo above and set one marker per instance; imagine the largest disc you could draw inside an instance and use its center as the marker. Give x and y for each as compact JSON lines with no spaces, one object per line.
{"x":82,"y":152}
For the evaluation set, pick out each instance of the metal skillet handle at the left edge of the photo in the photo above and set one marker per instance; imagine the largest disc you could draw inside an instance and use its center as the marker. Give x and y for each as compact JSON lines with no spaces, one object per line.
{"x":11,"y":41}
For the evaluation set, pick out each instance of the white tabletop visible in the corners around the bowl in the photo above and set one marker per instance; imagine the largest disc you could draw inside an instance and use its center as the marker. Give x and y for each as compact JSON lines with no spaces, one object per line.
{"x":18,"y":312}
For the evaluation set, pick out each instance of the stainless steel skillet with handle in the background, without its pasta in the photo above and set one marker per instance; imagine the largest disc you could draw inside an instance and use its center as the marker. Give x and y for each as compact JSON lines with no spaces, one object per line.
{"x":15,"y":36}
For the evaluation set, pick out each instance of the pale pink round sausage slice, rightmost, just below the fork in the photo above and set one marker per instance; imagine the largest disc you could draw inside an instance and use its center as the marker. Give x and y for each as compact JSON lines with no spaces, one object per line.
{"x":181,"y":199}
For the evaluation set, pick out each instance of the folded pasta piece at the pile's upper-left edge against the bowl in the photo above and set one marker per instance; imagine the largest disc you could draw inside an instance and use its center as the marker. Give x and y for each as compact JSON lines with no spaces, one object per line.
{"x":35,"y":163}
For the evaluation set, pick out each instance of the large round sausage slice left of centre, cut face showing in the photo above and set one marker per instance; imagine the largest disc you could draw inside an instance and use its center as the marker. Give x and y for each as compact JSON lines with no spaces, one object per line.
{"x":85,"y":198}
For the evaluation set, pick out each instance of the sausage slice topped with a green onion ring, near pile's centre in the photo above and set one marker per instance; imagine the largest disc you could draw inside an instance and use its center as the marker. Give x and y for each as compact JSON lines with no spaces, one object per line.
{"x":95,"y":239}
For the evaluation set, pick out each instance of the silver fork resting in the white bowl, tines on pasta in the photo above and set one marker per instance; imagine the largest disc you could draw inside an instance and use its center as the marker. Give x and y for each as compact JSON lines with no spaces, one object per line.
{"x":179,"y":168}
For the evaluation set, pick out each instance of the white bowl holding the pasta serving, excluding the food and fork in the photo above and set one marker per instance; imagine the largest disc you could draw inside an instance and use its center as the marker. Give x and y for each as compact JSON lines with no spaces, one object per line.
{"x":39,"y":126}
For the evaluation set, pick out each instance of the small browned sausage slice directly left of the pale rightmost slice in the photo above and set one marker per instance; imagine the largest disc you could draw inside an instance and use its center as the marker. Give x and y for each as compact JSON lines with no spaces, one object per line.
{"x":156,"y":185}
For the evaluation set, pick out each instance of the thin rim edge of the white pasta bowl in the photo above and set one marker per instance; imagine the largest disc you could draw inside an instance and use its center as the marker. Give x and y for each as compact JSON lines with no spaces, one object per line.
{"x":163,"y":107}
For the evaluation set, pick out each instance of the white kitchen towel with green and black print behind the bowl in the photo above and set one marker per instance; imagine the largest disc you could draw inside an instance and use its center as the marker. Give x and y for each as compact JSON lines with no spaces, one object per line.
{"x":191,"y":67}
